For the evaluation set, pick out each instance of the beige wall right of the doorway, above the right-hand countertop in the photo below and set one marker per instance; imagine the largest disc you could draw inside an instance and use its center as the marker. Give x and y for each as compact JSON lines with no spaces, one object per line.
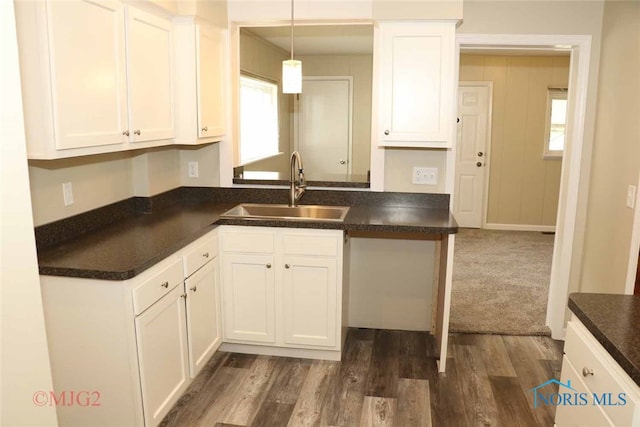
{"x":616,"y":153}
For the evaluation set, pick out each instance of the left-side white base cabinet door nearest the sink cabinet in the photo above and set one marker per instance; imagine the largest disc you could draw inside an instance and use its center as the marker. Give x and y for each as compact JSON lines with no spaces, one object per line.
{"x":203,"y":318}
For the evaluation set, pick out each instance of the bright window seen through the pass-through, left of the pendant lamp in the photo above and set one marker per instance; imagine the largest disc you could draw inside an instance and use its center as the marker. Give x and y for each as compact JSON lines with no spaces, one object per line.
{"x":258,"y":119}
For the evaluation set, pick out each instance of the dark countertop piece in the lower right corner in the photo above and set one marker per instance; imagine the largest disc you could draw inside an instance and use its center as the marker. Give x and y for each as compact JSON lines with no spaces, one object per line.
{"x":614,"y":320}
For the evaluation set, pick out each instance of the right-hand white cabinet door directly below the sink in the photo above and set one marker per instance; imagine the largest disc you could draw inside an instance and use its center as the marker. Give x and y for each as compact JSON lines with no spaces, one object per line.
{"x":310,"y":301}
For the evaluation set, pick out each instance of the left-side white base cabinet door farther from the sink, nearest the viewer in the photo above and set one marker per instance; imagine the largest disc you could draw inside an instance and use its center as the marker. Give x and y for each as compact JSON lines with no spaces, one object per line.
{"x":161,"y":334}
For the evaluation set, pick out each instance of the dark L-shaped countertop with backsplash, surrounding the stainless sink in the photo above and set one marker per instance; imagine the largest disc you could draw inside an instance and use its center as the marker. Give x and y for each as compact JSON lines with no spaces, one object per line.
{"x":123,"y":248}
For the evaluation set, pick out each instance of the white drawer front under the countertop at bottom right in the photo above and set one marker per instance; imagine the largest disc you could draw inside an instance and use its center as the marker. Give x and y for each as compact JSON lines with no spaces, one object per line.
{"x":584,"y":351}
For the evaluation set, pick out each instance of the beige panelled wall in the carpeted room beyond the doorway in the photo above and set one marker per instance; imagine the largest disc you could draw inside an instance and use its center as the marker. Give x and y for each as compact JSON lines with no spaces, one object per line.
{"x":523,"y":186}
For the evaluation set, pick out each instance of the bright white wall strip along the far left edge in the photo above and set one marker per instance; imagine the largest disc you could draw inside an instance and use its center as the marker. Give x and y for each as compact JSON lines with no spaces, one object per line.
{"x":23,"y":346}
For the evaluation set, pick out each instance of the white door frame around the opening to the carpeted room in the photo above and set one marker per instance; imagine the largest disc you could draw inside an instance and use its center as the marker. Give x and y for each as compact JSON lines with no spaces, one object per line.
{"x":569,"y":206}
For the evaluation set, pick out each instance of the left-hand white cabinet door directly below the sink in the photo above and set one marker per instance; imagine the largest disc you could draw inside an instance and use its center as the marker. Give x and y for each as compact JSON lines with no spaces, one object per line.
{"x":248,"y":297}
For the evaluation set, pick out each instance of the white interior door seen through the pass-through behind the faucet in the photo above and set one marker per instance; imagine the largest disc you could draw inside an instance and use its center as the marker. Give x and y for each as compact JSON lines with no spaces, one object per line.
{"x":323,"y":131}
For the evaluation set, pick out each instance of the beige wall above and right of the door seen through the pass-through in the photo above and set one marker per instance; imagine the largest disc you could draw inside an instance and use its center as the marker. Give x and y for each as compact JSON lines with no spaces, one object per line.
{"x":360,"y":68}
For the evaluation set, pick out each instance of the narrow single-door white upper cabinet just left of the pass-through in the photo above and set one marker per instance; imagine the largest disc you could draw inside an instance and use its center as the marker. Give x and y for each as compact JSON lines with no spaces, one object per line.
{"x":200,"y":81}
